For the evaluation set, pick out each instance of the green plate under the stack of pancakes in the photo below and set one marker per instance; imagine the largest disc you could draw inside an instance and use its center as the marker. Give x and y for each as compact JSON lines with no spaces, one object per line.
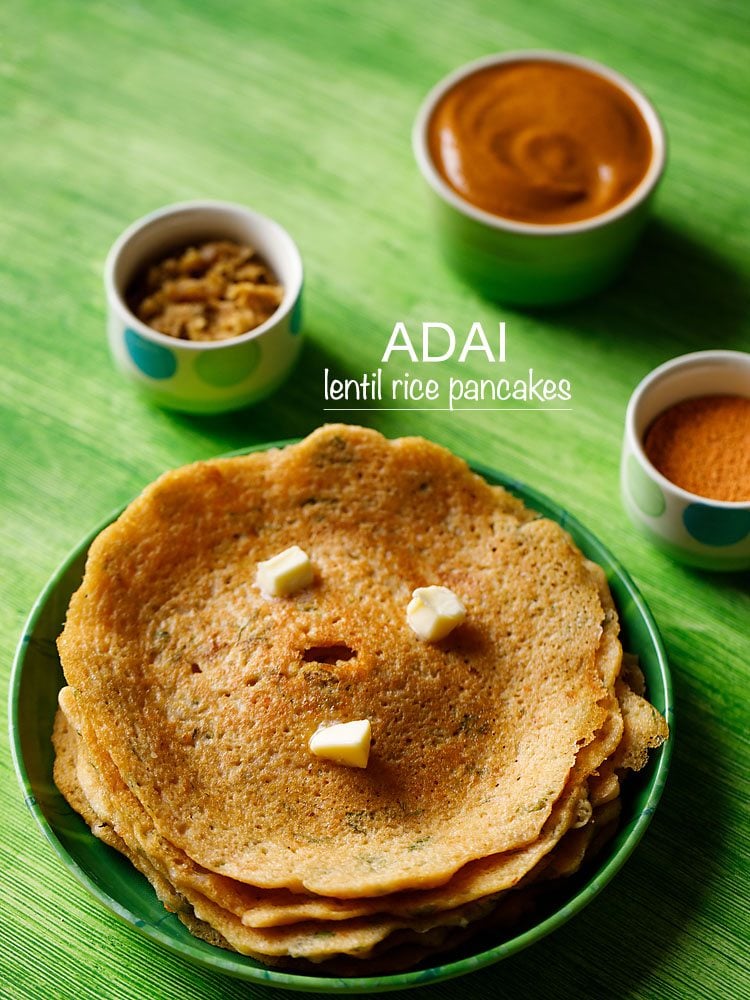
{"x":37,"y":677}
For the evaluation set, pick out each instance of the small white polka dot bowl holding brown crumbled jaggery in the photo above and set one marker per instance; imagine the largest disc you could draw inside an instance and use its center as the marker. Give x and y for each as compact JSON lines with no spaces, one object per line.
{"x":203,"y":376}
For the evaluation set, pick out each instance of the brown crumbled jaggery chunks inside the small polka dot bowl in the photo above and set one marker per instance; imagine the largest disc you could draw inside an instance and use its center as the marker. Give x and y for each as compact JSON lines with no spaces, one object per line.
{"x":213,"y":291}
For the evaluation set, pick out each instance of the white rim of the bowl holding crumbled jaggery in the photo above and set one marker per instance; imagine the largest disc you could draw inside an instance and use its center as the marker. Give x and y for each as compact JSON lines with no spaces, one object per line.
{"x":154,"y":218}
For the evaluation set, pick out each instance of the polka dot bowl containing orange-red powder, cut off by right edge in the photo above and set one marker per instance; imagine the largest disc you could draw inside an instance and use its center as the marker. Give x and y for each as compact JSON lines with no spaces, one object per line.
{"x":708,"y":534}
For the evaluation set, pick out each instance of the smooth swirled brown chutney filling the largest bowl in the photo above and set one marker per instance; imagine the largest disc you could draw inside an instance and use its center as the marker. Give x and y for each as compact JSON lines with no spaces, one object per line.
{"x":539,"y":141}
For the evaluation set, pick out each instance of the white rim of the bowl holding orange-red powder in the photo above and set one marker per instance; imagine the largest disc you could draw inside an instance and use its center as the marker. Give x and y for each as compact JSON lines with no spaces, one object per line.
{"x":658,"y":375}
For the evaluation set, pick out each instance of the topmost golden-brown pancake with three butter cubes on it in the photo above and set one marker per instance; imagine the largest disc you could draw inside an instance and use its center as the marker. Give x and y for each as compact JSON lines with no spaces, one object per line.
{"x":205,"y":693}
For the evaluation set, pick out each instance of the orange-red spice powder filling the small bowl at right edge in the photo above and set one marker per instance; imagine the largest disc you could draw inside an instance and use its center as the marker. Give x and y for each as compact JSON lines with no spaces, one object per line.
{"x":703,"y":445}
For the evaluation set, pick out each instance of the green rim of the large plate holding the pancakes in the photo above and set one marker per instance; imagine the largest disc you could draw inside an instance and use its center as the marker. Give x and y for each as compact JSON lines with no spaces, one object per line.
{"x":227,"y":962}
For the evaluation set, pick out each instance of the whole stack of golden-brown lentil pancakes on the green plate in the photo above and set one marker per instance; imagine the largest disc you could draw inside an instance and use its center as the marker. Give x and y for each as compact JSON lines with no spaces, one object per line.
{"x":497,"y":752}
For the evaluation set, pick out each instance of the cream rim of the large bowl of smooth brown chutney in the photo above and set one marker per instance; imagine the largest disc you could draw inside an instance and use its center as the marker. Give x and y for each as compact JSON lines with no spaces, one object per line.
{"x":638,"y":195}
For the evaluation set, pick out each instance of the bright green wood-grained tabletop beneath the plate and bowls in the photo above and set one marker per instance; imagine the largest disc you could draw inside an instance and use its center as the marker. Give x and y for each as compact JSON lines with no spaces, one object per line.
{"x":304,"y":111}
